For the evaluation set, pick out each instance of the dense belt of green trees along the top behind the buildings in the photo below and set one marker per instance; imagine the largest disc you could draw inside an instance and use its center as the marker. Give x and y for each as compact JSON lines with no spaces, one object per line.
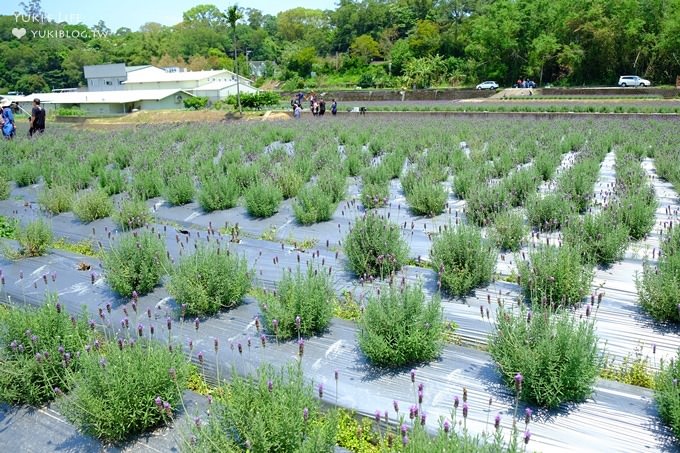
{"x":556,"y":41}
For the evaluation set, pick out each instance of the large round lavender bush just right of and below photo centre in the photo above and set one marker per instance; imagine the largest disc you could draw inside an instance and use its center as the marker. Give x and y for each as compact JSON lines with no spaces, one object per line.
{"x":375,"y":247}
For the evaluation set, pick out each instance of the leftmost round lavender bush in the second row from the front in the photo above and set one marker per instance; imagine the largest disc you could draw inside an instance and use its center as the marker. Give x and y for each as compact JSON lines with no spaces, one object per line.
{"x":135,"y":262}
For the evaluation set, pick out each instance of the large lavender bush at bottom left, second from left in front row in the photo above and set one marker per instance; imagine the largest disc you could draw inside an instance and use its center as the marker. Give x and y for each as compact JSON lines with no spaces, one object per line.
{"x":121,"y":390}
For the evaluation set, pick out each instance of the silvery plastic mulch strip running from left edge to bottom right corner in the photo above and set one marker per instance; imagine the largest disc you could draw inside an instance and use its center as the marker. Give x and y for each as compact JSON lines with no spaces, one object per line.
{"x":616,"y":418}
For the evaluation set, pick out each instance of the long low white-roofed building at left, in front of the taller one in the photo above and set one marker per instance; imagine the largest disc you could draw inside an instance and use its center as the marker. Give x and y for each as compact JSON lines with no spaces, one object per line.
{"x":103,"y":103}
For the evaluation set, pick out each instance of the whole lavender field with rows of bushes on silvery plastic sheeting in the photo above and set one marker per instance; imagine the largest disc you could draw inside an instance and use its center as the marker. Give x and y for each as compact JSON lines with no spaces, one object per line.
{"x":461,"y":285}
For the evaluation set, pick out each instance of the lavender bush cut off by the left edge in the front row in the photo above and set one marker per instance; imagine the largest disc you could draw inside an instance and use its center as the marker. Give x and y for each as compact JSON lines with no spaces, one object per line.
{"x":40,"y":351}
